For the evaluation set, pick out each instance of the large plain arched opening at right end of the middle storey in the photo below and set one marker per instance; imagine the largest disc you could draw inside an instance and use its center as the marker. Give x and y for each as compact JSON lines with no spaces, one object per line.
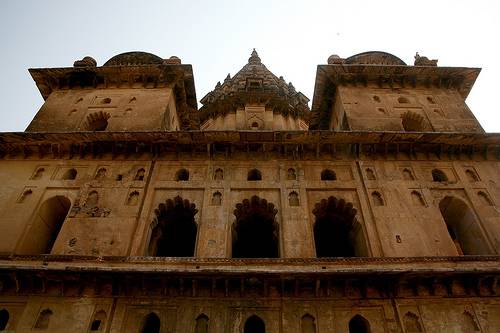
{"x":462,"y":226}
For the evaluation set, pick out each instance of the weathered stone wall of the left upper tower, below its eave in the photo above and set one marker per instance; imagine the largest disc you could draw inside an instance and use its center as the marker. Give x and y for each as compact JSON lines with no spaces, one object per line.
{"x":129,"y":109}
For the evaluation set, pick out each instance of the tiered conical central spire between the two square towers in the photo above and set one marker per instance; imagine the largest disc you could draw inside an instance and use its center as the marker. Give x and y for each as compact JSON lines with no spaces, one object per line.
{"x":254,"y":99}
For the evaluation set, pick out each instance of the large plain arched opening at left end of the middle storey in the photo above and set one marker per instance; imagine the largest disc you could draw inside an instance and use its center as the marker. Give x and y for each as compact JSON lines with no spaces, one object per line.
{"x":46,"y":226}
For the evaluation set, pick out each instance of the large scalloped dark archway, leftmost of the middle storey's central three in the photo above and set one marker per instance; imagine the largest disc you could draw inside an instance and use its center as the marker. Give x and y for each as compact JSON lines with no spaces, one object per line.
{"x":175,"y":232}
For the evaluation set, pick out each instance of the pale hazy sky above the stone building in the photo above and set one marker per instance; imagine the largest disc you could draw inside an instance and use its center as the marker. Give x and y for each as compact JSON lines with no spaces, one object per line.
{"x":217,"y":37}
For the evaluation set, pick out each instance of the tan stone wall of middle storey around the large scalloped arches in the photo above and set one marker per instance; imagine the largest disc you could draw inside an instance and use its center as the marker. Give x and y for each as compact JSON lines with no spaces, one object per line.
{"x":397,"y":203}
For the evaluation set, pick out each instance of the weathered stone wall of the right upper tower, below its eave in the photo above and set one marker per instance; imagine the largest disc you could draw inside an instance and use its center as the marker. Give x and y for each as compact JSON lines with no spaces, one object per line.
{"x":374,"y":108}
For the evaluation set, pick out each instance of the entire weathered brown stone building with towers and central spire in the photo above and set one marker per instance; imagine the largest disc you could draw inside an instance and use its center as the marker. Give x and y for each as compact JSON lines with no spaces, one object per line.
{"x":128,"y":207}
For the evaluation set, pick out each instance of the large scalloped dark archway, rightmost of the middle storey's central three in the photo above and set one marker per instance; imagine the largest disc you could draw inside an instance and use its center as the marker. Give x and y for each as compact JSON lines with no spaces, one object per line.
{"x":336,"y":231}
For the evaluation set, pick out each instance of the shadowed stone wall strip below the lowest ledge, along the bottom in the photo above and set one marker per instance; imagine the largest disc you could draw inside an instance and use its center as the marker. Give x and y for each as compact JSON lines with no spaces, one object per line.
{"x":280,"y":315}
